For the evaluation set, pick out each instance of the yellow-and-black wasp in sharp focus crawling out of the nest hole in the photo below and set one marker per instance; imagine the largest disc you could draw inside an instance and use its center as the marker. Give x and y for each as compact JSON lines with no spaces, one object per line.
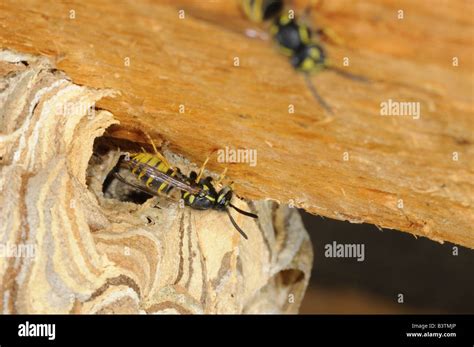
{"x":155,"y":176}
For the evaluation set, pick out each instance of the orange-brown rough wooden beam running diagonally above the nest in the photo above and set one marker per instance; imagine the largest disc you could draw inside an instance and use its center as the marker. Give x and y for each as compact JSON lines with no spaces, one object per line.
{"x":408,"y":174}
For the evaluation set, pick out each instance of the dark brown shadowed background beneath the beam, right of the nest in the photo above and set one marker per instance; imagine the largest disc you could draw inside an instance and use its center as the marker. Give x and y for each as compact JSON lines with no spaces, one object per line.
{"x":426,"y":272}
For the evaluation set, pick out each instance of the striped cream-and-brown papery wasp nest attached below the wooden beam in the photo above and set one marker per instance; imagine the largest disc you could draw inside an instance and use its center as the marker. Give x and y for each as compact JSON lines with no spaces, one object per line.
{"x":69,"y":248}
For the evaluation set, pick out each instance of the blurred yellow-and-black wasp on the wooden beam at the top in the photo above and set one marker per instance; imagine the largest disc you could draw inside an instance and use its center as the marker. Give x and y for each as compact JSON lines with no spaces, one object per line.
{"x":295,"y":40}
